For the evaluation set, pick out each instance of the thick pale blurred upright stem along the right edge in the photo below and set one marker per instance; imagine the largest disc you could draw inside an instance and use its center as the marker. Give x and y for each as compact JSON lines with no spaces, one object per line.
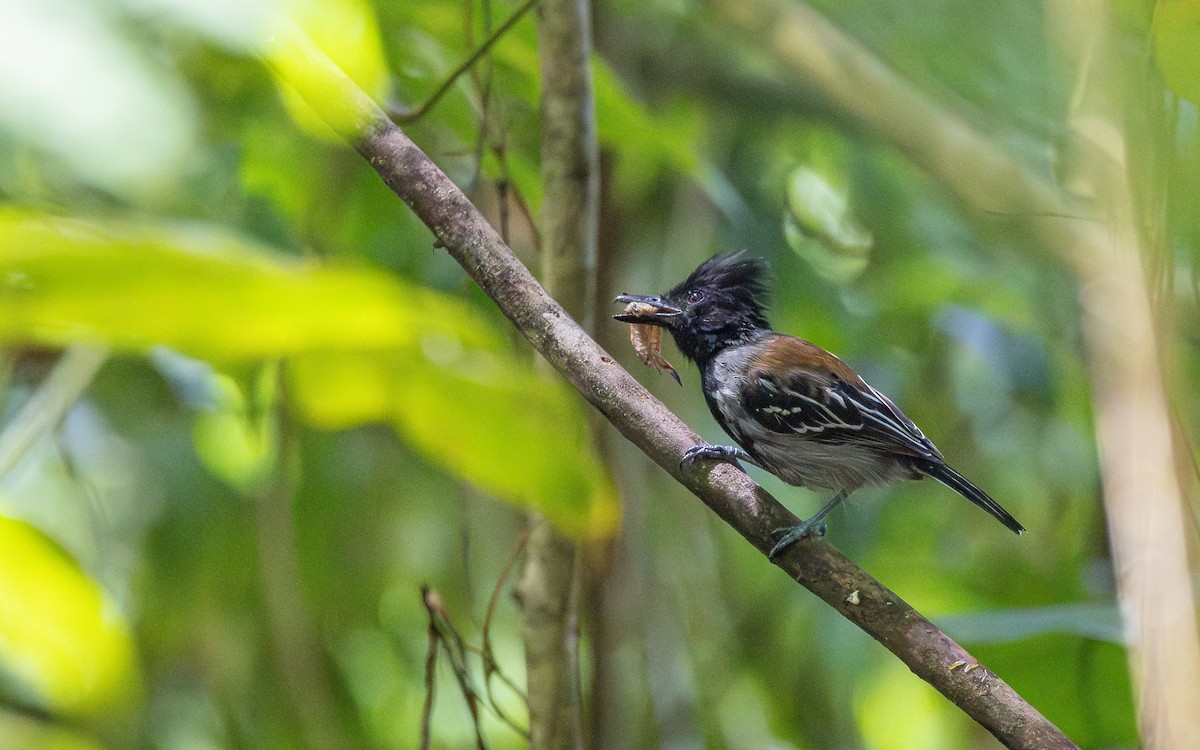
{"x":1143,"y":499}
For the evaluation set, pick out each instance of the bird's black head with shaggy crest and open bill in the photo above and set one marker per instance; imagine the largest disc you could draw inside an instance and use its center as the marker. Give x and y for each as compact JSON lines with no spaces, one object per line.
{"x":718,"y":305}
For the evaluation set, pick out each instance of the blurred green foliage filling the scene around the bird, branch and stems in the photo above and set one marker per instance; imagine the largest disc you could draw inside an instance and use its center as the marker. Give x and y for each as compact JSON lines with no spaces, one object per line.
{"x":250,"y":411}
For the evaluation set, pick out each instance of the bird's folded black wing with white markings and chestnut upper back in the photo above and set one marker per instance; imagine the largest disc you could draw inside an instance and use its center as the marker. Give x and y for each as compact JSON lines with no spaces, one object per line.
{"x":796,"y":387}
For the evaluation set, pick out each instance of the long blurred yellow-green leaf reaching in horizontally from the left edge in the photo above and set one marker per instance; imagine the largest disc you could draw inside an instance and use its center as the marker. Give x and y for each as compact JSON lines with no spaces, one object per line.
{"x":205,"y":293}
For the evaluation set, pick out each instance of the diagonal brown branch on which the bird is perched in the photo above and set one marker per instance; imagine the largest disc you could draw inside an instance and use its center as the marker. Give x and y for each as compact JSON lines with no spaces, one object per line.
{"x":637,"y":415}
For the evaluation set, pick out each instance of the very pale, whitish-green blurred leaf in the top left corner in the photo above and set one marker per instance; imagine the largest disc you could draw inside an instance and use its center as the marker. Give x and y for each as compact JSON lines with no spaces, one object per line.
{"x":121,"y":123}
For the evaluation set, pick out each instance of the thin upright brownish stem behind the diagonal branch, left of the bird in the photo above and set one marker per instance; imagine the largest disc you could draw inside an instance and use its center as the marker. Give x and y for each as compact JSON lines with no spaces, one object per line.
{"x":549,"y":585}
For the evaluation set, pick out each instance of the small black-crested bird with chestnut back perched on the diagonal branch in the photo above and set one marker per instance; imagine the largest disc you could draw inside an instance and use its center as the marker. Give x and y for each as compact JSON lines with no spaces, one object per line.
{"x":794,"y":409}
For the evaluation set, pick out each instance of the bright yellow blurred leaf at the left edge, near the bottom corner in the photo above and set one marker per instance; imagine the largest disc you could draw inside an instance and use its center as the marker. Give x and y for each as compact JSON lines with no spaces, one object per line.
{"x":62,"y":639}
